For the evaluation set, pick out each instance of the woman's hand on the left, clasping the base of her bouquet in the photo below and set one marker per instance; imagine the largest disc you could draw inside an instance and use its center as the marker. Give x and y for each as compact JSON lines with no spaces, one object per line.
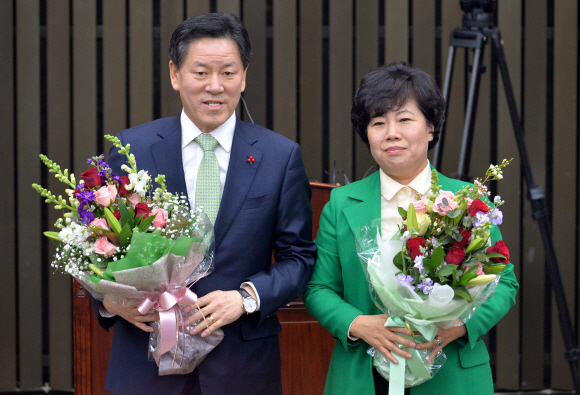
{"x":371,"y":329}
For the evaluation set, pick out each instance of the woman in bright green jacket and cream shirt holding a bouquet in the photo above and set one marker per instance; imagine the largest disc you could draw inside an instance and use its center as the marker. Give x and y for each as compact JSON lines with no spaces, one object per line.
{"x":398,"y":112}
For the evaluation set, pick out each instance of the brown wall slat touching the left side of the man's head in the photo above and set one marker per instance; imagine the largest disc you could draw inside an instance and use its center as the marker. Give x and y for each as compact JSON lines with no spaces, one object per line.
{"x":171,"y":17}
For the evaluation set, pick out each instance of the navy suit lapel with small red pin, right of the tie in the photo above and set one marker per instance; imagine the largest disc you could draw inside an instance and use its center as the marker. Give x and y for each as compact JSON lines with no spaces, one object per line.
{"x":239,"y":178}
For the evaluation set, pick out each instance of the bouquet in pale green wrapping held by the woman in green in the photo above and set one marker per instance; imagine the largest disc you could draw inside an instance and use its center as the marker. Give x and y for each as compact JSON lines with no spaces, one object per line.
{"x":435,"y":271}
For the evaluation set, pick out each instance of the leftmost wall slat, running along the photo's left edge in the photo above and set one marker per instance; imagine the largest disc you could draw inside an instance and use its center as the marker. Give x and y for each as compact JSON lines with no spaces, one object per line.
{"x":8,"y":200}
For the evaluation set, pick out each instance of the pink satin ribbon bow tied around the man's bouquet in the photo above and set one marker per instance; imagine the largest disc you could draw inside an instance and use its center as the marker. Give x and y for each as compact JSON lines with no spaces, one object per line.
{"x":167,"y":319}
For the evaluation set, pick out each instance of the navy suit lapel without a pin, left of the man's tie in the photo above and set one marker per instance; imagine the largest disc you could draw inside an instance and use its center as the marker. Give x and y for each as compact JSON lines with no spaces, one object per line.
{"x":167,"y":156}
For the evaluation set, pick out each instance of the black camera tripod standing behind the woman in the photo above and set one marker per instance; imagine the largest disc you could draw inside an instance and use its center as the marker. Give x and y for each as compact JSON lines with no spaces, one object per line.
{"x":475,"y":38}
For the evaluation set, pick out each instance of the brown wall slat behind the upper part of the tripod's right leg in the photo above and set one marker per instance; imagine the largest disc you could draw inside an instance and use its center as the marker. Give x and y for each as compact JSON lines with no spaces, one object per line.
{"x":507,"y":377}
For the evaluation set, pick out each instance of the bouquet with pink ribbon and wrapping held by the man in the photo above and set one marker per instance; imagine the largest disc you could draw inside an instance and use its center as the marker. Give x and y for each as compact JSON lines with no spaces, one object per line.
{"x":120,"y":238}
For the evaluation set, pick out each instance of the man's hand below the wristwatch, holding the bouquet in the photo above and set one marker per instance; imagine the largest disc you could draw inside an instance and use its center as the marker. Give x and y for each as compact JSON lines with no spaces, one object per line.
{"x":219,"y":308}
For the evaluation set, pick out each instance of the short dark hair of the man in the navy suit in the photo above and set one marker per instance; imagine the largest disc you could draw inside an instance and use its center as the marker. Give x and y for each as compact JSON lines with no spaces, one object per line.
{"x":214,"y":25}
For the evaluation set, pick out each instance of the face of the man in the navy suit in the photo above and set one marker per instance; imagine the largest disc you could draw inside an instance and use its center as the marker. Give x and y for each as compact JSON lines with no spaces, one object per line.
{"x":210,"y":81}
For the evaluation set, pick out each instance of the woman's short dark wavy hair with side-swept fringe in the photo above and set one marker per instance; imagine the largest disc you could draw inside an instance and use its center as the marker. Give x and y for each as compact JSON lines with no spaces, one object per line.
{"x":389,"y":87}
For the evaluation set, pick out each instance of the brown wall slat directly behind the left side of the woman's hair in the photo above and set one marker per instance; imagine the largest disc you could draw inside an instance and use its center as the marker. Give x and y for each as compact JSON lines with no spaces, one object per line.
{"x":366,"y":59}
